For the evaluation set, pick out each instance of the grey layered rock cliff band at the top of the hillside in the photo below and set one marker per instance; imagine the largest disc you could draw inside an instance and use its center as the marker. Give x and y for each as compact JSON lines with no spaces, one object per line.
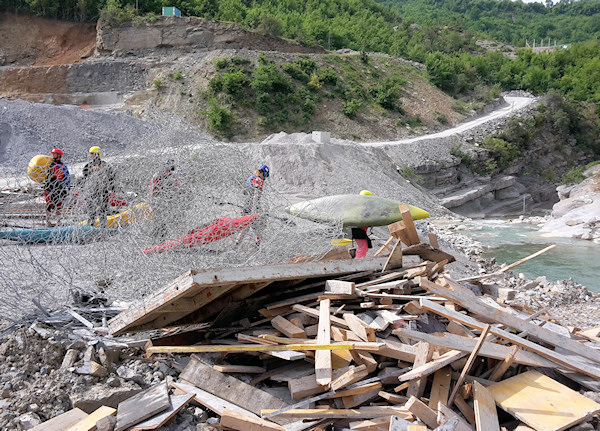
{"x":188,"y":32}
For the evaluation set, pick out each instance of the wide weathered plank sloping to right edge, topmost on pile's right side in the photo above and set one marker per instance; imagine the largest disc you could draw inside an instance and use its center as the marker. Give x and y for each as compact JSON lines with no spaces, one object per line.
{"x":468,"y":300}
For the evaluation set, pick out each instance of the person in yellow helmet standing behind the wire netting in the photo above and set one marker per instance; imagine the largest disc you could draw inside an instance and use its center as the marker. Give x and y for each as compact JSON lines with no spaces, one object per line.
{"x":99,"y":185}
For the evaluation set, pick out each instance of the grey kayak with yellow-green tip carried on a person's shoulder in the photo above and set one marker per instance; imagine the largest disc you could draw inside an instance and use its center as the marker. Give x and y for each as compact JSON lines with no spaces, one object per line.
{"x":354,"y":210}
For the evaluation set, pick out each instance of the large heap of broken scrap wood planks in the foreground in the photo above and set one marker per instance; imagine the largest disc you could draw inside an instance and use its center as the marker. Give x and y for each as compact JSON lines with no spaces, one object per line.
{"x":363,"y":345}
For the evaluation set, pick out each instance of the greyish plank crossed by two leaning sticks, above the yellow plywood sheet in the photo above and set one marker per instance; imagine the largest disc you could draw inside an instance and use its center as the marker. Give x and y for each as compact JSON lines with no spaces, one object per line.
{"x":466,"y":344}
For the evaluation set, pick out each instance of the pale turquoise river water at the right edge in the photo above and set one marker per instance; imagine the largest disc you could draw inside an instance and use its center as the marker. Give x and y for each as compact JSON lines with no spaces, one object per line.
{"x":510,"y":242}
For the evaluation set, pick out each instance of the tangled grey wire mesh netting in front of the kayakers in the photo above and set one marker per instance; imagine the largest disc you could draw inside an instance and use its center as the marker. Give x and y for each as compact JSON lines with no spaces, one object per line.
{"x":169,"y":210}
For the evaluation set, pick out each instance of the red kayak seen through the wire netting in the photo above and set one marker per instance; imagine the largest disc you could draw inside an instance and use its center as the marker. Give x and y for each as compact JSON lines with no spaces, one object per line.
{"x":219,"y":229}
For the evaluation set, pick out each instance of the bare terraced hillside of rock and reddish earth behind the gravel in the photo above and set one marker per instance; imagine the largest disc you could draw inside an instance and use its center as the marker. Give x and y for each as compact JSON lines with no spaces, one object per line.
{"x":170,"y":64}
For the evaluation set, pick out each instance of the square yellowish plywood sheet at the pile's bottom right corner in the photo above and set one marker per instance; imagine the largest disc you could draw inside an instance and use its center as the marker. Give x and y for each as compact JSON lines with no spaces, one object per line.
{"x":542,"y":402}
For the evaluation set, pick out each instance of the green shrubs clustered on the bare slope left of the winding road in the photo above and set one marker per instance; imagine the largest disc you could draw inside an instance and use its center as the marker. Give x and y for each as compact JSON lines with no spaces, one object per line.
{"x":289,"y":93}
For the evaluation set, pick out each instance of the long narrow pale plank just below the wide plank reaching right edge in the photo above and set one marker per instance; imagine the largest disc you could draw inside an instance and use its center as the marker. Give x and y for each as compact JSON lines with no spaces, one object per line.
{"x":569,"y":362}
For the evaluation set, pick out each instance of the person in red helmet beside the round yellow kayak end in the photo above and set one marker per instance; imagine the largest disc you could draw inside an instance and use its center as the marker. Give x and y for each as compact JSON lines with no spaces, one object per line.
{"x":56,"y":185}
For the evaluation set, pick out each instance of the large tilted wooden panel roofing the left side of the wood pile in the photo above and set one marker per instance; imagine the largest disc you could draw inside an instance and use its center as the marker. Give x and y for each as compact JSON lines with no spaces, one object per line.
{"x":187,"y":296}
